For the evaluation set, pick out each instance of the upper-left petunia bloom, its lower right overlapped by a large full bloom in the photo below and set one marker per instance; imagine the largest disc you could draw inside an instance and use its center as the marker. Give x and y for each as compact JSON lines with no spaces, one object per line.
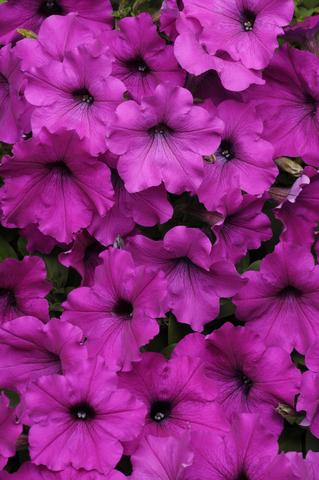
{"x":76,"y":94}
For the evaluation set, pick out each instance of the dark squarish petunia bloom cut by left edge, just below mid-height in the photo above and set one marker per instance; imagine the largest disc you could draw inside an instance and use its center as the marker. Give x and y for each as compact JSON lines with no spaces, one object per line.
{"x":23,"y":288}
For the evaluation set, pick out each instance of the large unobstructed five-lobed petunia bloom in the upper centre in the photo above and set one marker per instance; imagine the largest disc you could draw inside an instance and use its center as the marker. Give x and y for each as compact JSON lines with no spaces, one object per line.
{"x":163,"y":140}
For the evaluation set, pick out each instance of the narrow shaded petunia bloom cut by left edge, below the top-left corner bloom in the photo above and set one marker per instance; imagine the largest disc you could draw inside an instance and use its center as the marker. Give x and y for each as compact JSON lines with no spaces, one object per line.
{"x":12,"y":105}
